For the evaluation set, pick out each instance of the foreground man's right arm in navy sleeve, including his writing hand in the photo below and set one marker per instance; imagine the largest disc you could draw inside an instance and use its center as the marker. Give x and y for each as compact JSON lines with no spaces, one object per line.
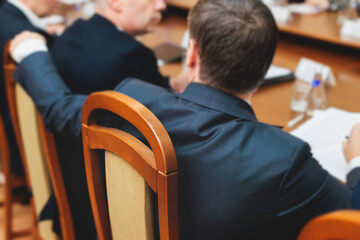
{"x":307,"y":190}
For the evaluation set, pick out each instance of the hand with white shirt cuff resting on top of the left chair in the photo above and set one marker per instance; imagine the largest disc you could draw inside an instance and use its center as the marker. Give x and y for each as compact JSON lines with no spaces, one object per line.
{"x":25,"y":44}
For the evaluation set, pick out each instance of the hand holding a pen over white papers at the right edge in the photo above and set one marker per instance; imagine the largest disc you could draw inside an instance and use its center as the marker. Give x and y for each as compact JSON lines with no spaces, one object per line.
{"x":351,"y":146}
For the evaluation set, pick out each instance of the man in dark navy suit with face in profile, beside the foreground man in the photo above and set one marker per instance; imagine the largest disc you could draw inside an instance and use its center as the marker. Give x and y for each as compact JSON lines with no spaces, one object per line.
{"x":97,"y":54}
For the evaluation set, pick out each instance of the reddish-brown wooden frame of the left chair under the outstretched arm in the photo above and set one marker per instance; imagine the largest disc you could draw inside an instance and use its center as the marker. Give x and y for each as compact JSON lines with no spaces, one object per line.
{"x":49,"y":148}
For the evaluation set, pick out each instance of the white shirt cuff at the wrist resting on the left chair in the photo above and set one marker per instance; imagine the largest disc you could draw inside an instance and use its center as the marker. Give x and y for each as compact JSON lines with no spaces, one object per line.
{"x":28,"y":47}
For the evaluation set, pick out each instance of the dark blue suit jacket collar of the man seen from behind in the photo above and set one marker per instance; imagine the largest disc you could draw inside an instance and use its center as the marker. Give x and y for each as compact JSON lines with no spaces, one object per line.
{"x":218,"y":100}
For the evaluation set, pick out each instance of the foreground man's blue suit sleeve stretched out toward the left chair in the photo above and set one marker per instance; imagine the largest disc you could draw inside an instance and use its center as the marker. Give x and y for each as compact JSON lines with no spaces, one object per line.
{"x":60,"y":109}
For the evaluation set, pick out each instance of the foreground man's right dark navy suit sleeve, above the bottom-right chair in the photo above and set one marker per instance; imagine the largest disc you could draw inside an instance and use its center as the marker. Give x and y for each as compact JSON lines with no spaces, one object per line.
{"x":307,"y":191}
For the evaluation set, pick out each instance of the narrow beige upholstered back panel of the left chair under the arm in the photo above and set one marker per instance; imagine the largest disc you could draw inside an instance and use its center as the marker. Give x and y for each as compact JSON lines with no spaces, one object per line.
{"x":39,"y":177}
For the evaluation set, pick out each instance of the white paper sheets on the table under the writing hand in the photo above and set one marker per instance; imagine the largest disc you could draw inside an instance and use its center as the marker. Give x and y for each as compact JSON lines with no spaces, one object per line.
{"x":325,"y":132}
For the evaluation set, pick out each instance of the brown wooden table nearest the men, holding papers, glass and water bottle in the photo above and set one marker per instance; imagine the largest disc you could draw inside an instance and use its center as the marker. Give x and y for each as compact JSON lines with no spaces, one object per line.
{"x":272,"y":103}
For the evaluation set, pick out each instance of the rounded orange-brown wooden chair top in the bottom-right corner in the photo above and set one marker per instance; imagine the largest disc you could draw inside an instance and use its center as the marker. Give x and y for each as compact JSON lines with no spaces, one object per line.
{"x":340,"y":224}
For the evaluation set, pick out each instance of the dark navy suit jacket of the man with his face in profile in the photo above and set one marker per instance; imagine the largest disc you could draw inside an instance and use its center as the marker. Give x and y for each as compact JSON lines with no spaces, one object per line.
{"x":94,"y":55}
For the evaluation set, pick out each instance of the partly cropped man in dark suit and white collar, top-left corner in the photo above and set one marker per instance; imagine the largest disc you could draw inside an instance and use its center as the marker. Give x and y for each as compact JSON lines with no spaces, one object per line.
{"x":15,"y":17}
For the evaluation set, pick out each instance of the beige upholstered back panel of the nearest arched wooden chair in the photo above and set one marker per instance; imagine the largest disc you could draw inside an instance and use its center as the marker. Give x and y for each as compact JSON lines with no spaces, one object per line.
{"x":129,"y":200}
